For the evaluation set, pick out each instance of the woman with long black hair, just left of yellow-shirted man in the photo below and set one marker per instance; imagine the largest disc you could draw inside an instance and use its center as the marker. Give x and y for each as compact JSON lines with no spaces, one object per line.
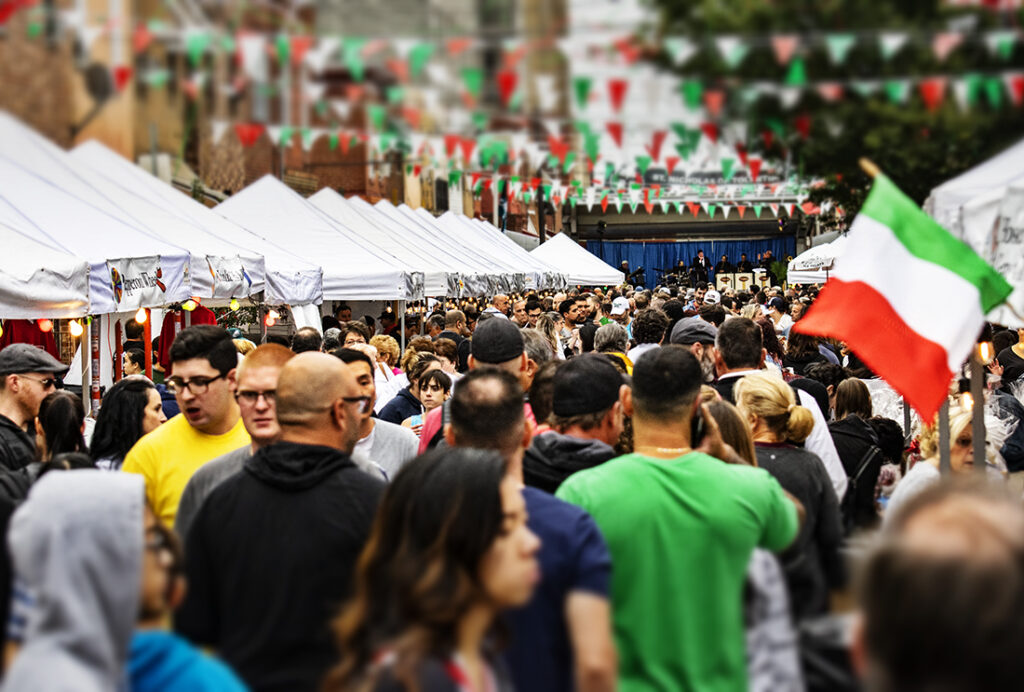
{"x":132,"y":409}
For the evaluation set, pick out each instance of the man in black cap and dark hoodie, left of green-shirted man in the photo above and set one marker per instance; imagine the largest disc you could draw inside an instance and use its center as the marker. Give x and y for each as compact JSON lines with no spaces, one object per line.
{"x":586,"y":421}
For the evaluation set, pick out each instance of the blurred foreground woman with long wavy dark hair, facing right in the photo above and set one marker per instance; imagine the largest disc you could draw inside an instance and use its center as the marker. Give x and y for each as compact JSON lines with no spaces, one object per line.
{"x":449,"y":552}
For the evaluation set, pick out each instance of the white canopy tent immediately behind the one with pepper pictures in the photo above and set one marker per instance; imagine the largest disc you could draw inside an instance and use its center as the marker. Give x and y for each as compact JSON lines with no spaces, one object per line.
{"x":289,"y":279}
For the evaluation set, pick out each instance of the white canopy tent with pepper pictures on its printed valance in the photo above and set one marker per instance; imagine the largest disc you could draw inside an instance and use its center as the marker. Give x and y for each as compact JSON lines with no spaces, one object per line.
{"x":129,"y":269}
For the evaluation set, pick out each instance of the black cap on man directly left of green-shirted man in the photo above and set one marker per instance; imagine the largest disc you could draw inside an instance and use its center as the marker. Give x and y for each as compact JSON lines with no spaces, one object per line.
{"x":586,"y":384}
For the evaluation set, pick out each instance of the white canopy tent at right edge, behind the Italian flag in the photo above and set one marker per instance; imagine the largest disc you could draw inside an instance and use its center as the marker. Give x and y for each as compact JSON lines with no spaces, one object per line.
{"x":987,"y":181}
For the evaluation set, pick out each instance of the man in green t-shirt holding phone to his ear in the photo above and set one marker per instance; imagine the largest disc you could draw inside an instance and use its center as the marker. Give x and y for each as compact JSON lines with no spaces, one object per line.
{"x":681,"y":527}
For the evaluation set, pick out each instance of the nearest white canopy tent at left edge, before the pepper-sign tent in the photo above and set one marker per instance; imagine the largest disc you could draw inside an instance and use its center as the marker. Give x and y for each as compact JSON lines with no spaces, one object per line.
{"x":38,"y":281}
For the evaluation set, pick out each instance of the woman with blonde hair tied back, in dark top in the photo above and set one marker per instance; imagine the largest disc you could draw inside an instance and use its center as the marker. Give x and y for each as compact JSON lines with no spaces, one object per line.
{"x":780,"y":425}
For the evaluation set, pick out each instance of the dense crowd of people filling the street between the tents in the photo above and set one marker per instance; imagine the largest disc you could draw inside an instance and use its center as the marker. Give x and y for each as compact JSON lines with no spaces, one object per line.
{"x":621,"y":489}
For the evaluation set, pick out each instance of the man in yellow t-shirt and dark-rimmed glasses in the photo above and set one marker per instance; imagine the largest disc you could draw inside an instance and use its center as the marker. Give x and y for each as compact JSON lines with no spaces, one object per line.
{"x":203,"y":363}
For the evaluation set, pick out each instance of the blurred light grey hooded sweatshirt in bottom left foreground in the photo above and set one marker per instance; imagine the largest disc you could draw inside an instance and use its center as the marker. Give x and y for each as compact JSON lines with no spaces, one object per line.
{"x":78,"y":542}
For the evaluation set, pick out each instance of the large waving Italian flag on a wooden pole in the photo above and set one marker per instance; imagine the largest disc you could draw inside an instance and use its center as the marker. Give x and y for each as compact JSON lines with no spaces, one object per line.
{"x":907,"y":297}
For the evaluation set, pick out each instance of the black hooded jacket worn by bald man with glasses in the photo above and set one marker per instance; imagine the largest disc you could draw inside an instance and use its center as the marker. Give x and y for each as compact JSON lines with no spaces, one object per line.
{"x":271,"y":557}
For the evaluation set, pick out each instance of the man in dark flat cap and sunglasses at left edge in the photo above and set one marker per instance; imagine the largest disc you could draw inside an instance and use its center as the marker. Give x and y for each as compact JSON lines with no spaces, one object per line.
{"x":27,"y":376}
